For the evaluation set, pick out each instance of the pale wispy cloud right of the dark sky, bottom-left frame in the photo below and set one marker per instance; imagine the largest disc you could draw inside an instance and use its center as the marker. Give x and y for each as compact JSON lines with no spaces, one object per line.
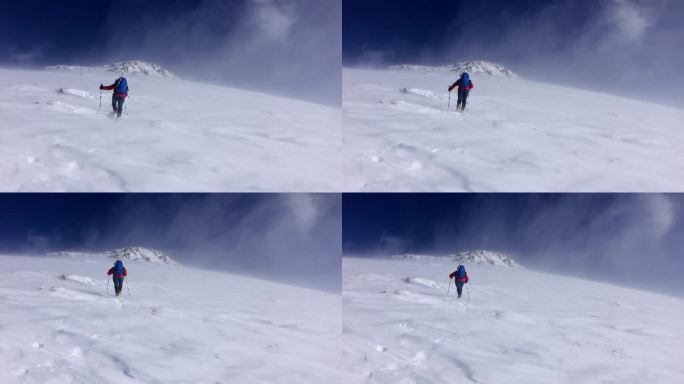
{"x":293,"y":238}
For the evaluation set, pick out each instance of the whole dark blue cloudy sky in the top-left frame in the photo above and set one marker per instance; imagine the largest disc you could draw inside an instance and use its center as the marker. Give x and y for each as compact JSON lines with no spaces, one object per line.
{"x":290,"y":47}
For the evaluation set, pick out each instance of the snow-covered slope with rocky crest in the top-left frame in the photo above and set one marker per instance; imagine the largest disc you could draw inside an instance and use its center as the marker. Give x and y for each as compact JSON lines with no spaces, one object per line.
{"x":175,"y":135}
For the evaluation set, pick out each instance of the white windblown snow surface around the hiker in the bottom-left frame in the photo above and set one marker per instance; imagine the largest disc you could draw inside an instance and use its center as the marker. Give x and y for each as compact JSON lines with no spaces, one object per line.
{"x":59,"y":324}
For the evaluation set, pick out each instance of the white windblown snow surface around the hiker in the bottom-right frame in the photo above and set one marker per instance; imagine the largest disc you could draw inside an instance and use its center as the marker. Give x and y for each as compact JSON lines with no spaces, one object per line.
{"x":510,"y":326}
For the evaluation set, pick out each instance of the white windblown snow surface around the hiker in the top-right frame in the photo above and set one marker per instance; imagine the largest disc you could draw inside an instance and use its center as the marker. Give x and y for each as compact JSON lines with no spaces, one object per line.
{"x":515,"y":136}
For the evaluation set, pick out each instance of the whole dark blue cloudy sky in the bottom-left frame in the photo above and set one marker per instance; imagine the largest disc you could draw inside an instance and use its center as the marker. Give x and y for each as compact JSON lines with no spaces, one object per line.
{"x":286,"y":237}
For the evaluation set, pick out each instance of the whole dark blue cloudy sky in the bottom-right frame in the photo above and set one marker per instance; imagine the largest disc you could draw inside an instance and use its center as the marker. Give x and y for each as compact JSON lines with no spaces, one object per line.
{"x":633,"y":239}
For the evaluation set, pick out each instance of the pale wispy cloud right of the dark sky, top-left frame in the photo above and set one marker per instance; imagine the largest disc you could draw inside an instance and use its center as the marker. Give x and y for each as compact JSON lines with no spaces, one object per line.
{"x":285,"y":47}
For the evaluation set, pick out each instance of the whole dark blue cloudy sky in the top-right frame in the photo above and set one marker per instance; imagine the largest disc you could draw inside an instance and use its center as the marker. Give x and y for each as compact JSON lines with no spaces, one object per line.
{"x":610,"y":45}
